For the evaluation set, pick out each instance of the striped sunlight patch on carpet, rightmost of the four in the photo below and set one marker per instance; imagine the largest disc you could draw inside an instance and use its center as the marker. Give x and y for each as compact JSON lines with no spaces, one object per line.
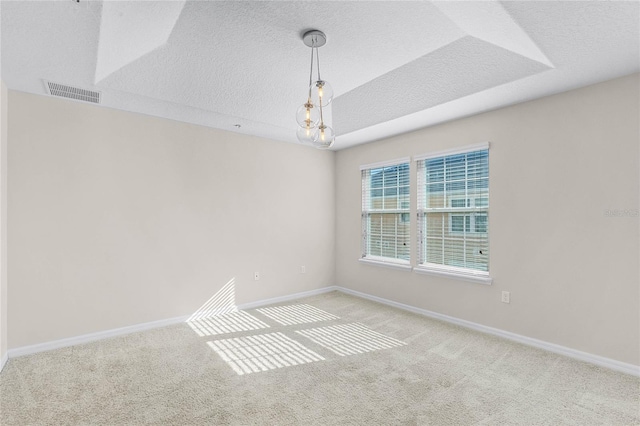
{"x":350,"y":339}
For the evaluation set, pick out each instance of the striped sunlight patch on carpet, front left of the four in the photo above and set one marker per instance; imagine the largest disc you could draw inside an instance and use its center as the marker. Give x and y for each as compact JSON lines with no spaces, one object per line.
{"x":262,"y":352}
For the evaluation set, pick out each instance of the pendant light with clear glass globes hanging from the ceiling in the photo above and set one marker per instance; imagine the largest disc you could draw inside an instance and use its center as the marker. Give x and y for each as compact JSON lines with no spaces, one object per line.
{"x":312,"y":115}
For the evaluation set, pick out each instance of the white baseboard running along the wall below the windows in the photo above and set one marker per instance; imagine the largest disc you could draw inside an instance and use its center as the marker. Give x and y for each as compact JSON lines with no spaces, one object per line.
{"x":551,"y":347}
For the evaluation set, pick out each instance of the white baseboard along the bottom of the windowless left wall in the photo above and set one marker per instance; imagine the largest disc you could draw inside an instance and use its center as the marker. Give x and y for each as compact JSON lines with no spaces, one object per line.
{"x":92,"y":337}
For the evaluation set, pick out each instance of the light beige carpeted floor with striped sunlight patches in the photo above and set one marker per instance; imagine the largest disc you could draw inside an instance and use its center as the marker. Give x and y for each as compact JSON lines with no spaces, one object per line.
{"x":331,"y":359}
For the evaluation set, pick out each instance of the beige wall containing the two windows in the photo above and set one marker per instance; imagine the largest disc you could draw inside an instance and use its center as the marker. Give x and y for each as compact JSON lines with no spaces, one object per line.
{"x":556,"y":165}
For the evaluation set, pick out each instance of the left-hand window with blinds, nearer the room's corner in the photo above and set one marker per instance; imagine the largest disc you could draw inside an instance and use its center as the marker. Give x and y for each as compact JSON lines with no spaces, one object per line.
{"x":385,"y":212}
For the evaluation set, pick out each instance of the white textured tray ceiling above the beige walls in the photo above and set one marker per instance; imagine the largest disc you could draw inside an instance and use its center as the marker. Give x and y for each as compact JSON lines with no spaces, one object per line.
{"x":395,"y":66}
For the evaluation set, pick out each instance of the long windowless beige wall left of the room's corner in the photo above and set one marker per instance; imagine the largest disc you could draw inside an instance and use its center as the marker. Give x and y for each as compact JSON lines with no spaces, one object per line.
{"x":117,"y":219}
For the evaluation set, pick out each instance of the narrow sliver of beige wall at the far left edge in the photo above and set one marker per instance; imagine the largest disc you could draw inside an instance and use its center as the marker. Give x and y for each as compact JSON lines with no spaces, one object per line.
{"x":3,"y":220}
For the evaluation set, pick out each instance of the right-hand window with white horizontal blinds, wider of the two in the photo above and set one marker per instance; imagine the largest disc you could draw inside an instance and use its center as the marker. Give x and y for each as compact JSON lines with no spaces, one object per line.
{"x":453,"y":211}
